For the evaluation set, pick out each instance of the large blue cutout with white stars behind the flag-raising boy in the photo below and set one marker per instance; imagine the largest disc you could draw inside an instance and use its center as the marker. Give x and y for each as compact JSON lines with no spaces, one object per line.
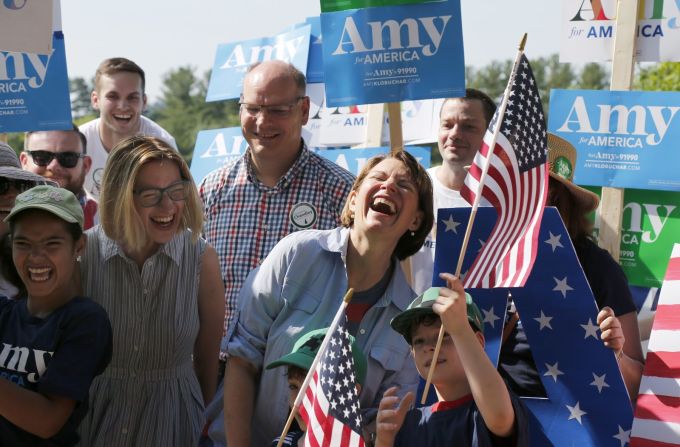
{"x":587,"y":403}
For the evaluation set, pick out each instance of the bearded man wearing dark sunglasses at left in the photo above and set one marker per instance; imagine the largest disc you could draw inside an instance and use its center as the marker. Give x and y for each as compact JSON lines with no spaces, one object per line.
{"x":61,"y":156}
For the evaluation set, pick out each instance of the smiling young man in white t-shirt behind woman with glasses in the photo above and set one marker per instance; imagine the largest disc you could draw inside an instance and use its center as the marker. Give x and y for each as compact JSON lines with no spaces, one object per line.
{"x":119,"y":96}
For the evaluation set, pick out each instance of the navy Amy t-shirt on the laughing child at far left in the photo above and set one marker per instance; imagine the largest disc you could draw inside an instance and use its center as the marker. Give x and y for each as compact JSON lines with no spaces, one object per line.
{"x":57,"y":355}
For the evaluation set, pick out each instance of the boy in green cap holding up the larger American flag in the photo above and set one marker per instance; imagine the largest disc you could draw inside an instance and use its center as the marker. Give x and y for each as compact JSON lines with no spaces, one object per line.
{"x":475,"y":407}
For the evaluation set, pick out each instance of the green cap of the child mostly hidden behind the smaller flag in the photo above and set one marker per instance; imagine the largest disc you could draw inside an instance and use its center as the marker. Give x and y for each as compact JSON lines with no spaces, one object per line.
{"x":306,"y":347}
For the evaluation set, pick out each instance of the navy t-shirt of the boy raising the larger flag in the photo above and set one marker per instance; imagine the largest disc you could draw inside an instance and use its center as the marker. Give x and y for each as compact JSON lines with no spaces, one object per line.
{"x":458,"y":423}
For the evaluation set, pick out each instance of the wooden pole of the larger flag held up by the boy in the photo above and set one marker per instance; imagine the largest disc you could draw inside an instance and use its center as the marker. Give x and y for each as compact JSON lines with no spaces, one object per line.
{"x":475,"y":206}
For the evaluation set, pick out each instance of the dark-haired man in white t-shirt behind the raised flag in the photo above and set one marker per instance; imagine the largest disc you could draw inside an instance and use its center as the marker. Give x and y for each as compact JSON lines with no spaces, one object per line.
{"x":463,"y":122}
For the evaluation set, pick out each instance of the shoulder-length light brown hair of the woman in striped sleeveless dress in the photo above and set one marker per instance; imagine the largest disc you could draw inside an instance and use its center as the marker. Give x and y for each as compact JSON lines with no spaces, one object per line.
{"x":119,"y":218}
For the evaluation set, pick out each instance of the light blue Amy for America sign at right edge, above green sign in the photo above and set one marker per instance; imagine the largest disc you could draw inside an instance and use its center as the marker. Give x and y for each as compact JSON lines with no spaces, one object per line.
{"x":623,"y":139}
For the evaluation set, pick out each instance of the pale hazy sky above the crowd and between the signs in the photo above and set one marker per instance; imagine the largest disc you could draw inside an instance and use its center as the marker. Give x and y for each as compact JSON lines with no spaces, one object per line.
{"x":161,"y":35}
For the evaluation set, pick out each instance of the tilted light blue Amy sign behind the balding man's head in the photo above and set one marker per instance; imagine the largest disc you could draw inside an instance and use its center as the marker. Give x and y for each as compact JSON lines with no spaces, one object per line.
{"x":233,"y":59}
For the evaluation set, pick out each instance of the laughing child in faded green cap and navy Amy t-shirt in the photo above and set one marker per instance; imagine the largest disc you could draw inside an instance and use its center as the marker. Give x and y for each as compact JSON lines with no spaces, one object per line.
{"x":53,"y":341}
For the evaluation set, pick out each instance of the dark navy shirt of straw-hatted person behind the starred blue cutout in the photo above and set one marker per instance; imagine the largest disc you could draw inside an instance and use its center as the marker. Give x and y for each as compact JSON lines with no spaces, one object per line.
{"x":610,"y":288}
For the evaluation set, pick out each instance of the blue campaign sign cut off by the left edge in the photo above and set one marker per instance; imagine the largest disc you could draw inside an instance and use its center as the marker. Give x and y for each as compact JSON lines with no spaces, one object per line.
{"x":34,"y":90}
